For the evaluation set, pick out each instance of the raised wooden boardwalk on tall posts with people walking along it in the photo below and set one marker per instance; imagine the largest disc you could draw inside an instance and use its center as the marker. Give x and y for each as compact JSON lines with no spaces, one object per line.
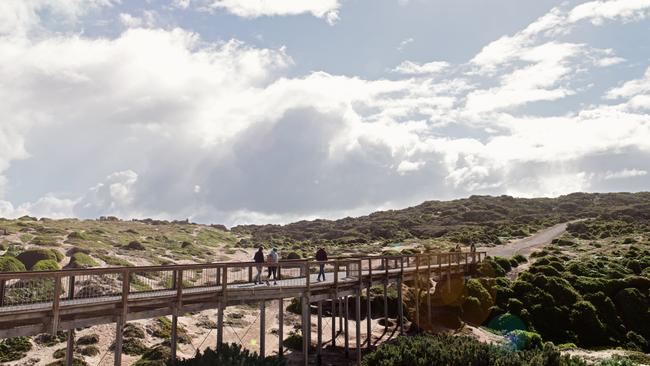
{"x":86,"y":297}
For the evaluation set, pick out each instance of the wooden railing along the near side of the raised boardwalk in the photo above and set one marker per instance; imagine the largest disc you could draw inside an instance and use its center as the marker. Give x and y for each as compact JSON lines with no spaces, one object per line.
{"x":33,"y":290}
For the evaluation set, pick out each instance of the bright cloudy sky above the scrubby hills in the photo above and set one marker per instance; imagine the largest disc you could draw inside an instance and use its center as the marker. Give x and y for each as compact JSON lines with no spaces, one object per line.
{"x":272,"y":111}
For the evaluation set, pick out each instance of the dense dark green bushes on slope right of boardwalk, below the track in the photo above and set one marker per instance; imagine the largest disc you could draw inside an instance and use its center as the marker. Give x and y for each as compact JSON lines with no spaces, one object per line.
{"x":590,"y":293}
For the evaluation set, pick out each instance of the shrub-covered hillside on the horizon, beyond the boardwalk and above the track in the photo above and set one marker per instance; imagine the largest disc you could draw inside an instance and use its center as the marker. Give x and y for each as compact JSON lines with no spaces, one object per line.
{"x":478,"y":219}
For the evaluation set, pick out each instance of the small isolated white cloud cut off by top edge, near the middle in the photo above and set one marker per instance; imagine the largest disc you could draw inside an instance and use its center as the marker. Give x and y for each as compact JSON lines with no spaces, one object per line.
{"x":326,"y":9}
